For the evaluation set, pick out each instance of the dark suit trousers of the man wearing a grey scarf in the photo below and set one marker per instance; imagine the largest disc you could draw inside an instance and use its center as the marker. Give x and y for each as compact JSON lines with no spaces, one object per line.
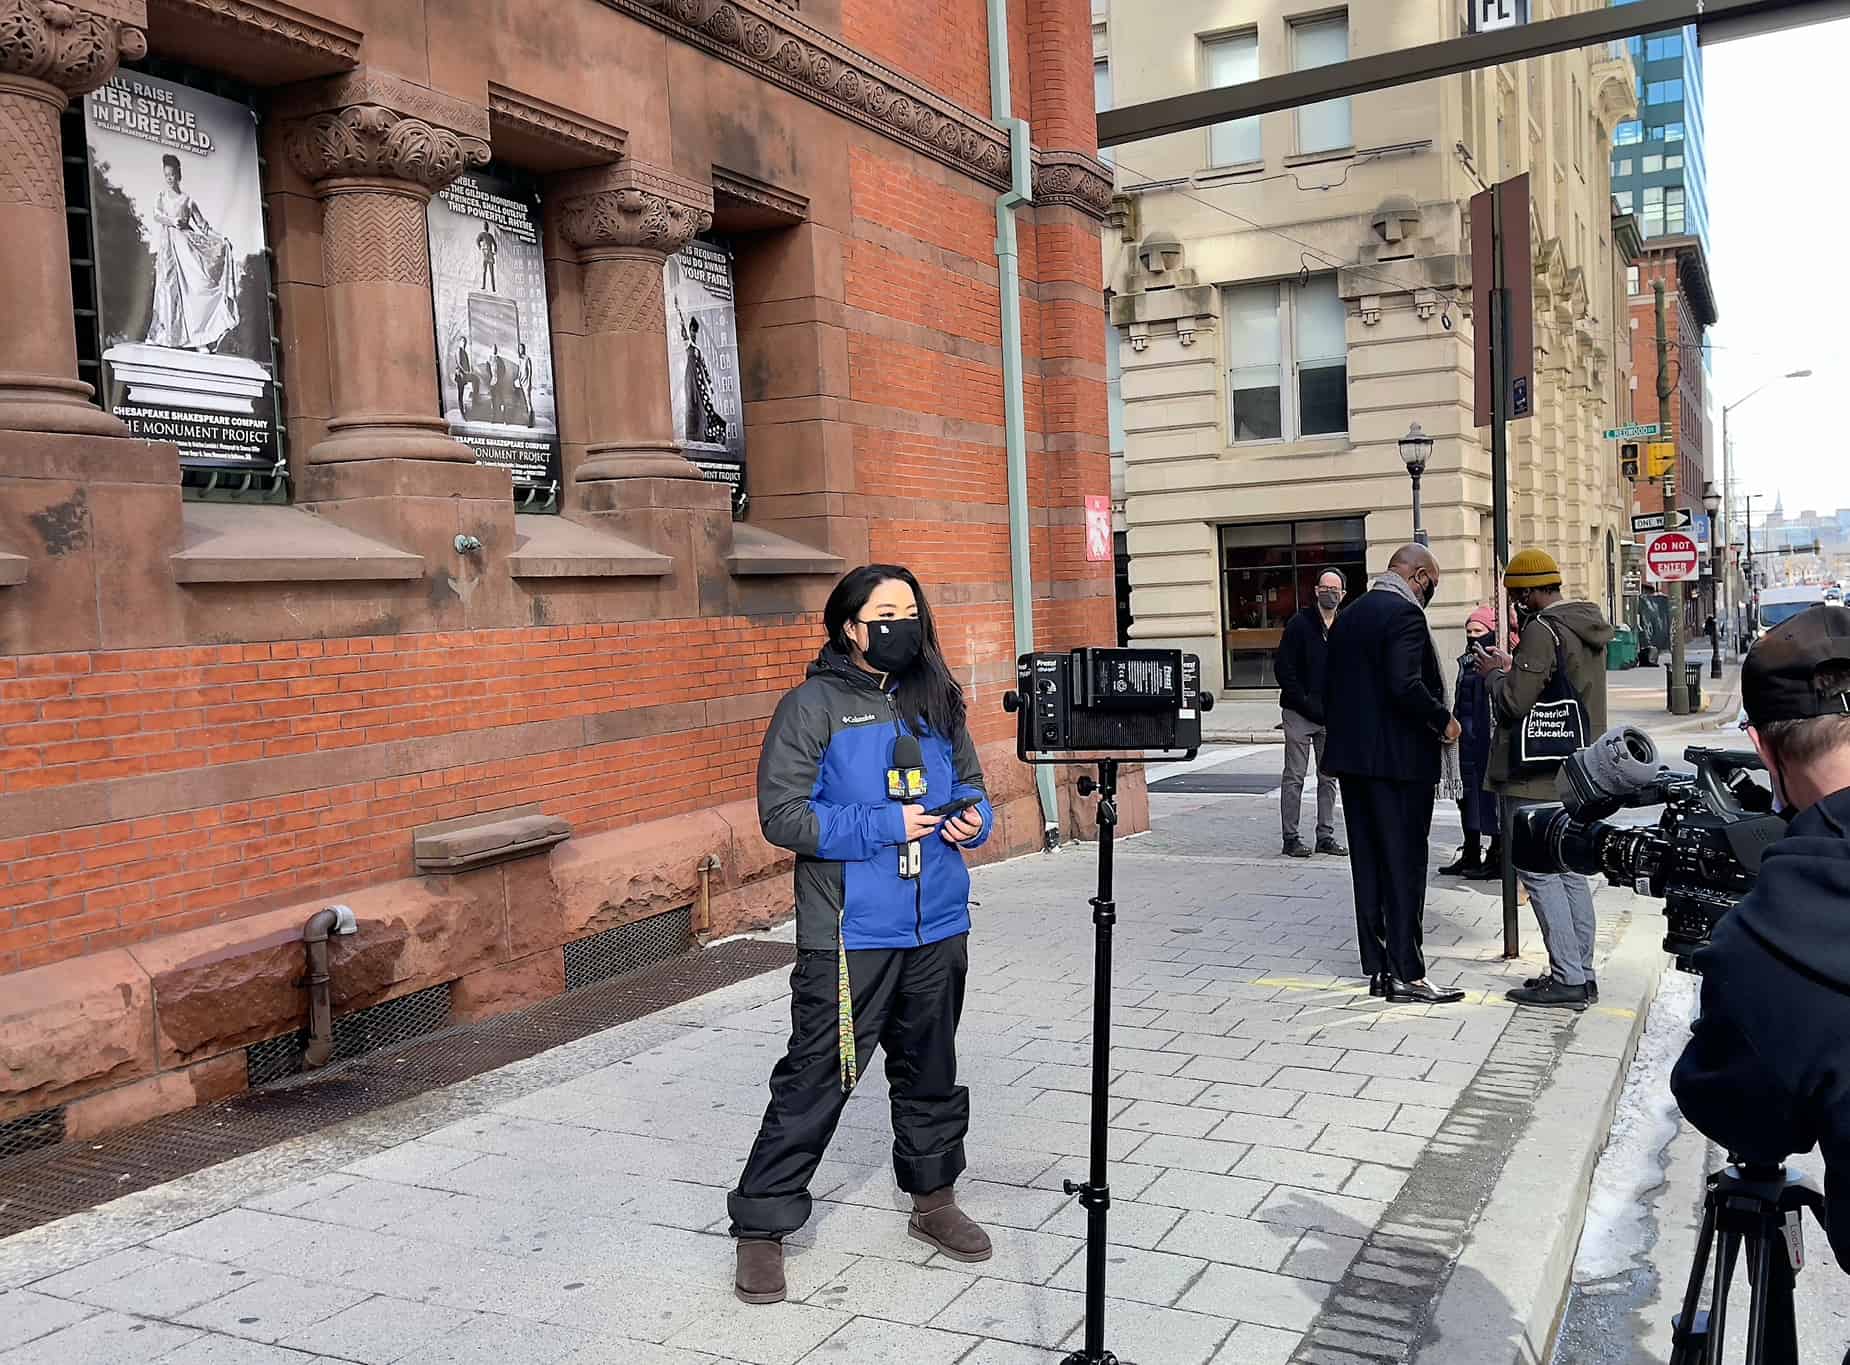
{"x":1388,"y":830}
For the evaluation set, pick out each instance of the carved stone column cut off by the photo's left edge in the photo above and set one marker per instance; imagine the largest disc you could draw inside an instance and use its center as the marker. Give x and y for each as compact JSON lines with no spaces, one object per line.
{"x":49,"y":55}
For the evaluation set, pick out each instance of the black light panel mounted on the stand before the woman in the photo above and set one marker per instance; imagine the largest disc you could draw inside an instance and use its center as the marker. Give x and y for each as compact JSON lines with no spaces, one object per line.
{"x":1107,"y":702}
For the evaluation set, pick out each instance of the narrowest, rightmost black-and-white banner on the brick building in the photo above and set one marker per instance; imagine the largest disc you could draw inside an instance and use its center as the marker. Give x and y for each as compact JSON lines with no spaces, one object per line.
{"x":704,"y":365}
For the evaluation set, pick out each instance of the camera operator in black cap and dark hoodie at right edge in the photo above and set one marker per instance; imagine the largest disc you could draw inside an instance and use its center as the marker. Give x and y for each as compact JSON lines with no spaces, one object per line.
{"x":1768,"y":1070}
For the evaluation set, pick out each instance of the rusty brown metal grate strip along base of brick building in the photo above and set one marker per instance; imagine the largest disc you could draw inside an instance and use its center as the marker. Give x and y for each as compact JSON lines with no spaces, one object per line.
{"x":53,"y":1183}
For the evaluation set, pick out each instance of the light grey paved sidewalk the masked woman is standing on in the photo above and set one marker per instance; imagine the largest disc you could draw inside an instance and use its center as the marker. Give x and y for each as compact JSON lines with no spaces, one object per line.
{"x":1298,"y":1168}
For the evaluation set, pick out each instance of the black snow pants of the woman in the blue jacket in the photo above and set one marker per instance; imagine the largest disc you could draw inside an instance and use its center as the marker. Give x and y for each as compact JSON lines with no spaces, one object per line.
{"x":907,"y":1002}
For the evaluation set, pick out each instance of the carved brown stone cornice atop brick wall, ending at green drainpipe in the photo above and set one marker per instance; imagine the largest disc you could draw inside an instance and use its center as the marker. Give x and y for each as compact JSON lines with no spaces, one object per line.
{"x":774,"y":45}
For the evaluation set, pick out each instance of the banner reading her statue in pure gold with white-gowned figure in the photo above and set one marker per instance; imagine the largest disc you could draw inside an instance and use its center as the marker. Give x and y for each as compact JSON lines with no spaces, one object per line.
{"x":182,"y":275}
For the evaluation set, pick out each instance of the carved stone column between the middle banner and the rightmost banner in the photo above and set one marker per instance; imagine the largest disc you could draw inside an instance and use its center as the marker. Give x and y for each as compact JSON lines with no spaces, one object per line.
{"x":626,"y":223}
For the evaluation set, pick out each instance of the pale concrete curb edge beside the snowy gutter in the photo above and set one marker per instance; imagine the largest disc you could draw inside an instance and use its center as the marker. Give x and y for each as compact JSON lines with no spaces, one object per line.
{"x":1520,"y":1259}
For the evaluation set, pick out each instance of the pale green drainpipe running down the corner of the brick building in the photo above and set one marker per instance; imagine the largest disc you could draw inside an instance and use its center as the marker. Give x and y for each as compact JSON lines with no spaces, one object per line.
{"x":1015,"y":415}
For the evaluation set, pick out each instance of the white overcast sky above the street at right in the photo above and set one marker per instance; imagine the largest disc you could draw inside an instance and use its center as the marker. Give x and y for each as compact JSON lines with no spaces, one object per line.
{"x":1775,"y":116}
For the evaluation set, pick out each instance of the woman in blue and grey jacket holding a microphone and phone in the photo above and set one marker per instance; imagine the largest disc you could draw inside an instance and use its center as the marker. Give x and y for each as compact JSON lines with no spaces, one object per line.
{"x":856,"y":763}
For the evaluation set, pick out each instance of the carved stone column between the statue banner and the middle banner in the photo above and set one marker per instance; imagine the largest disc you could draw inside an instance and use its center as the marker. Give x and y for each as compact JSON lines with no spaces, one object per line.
{"x":376,"y":149}
